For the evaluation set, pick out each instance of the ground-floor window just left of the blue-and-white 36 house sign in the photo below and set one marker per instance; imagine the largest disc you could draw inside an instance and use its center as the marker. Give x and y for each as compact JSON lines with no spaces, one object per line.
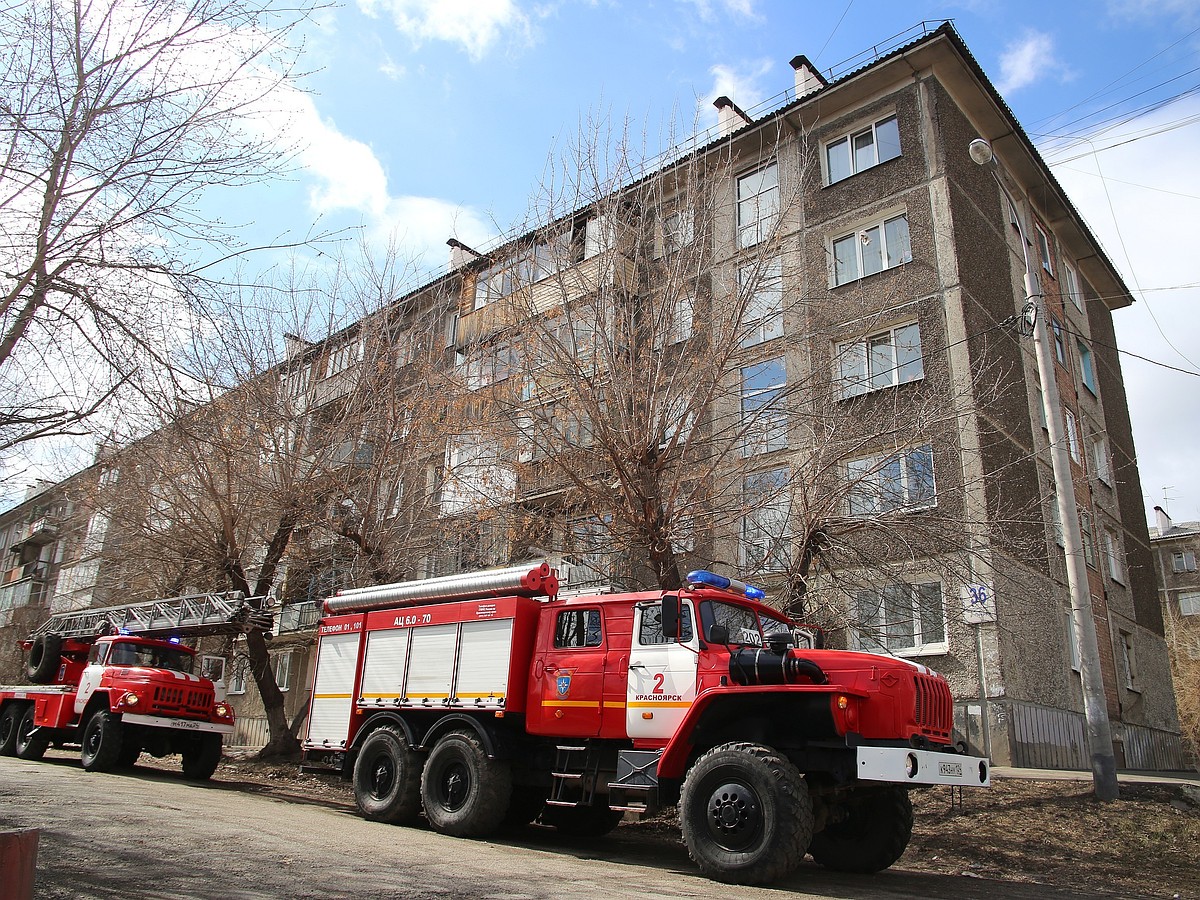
{"x":902,"y":619}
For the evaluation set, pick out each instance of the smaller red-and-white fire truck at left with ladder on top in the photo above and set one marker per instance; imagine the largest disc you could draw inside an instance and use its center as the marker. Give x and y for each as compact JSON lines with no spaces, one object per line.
{"x":117,"y":682}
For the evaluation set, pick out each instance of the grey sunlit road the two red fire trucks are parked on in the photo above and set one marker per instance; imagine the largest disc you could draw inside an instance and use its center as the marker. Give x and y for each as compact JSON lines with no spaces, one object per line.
{"x":149,"y":835}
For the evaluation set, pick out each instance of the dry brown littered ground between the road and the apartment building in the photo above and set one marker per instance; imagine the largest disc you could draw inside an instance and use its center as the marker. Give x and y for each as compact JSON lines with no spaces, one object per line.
{"x":1053,"y":833}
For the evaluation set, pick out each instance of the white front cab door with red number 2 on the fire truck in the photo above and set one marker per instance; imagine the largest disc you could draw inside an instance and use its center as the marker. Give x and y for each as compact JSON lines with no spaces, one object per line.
{"x":662,"y":674}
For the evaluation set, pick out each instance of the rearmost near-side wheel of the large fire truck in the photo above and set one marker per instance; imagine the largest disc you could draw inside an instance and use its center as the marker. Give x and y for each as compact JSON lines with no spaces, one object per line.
{"x":388,"y":778}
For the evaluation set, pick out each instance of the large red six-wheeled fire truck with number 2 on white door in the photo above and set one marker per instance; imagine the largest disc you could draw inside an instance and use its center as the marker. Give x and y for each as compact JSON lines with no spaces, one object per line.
{"x":488,"y":701}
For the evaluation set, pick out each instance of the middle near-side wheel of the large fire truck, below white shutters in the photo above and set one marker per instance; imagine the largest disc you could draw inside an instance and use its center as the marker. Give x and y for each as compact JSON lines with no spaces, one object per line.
{"x":465,"y":793}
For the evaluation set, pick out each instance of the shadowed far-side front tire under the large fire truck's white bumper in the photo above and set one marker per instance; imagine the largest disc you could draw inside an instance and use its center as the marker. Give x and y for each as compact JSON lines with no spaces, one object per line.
{"x":867,"y":833}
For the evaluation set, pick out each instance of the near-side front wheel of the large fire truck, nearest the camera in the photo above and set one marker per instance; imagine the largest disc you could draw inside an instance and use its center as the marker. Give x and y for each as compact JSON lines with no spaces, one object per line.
{"x":746,"y":814}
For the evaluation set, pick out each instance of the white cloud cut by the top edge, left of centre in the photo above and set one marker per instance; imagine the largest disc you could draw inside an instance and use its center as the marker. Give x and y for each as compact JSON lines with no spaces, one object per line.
{"x":476,"y":25}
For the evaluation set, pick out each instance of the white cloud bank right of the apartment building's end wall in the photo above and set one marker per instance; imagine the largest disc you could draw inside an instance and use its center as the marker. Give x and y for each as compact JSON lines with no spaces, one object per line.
{"x":1150,"y":188}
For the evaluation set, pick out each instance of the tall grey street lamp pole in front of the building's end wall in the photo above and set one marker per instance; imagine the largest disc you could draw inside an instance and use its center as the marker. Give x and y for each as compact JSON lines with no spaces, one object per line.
{"x":1100,"y":734}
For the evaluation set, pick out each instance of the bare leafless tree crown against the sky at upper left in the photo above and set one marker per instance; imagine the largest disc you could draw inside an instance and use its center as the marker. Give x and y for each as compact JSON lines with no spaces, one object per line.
{"x":118,"y":118}
